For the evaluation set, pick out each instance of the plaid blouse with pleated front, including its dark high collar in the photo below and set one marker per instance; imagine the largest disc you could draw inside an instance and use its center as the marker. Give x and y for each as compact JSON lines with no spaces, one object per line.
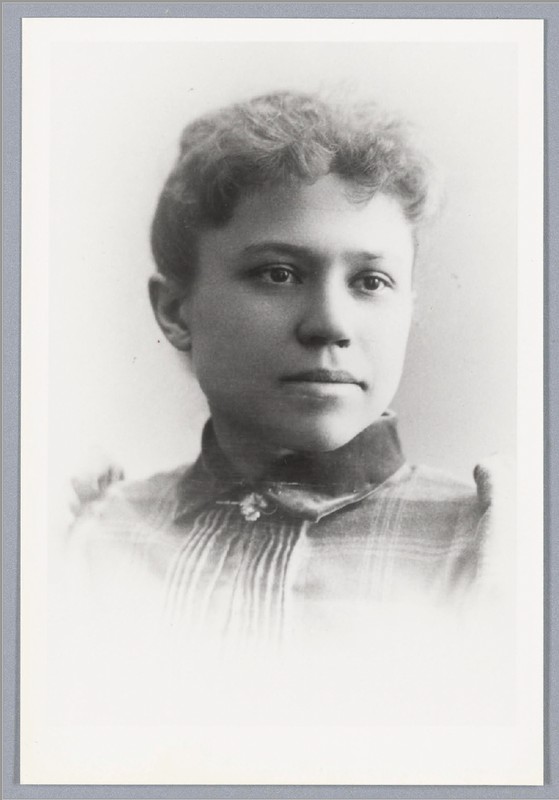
{"x":213,"y":554}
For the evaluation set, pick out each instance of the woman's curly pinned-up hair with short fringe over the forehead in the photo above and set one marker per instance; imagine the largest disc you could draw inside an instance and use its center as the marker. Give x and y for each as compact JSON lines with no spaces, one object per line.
{"x":274,"y":139}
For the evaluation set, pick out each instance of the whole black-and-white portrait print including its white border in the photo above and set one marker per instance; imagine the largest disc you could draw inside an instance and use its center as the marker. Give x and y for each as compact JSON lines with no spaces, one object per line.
{"x":281,"y":385}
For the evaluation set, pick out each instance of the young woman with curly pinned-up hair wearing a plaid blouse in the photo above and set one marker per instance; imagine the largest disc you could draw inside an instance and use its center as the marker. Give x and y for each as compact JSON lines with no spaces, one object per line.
{"x":285,"y":240}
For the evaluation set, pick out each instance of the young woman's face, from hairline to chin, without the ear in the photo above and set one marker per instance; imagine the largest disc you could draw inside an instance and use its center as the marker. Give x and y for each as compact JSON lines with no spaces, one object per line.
{"x":299,"y":314}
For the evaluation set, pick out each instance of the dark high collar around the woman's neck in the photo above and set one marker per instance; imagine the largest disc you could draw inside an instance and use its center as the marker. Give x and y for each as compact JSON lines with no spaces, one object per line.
{"x":307,"y":484}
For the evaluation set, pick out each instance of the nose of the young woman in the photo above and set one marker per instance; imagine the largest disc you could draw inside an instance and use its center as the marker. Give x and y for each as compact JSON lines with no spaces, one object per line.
{"x":326,"y":318}
